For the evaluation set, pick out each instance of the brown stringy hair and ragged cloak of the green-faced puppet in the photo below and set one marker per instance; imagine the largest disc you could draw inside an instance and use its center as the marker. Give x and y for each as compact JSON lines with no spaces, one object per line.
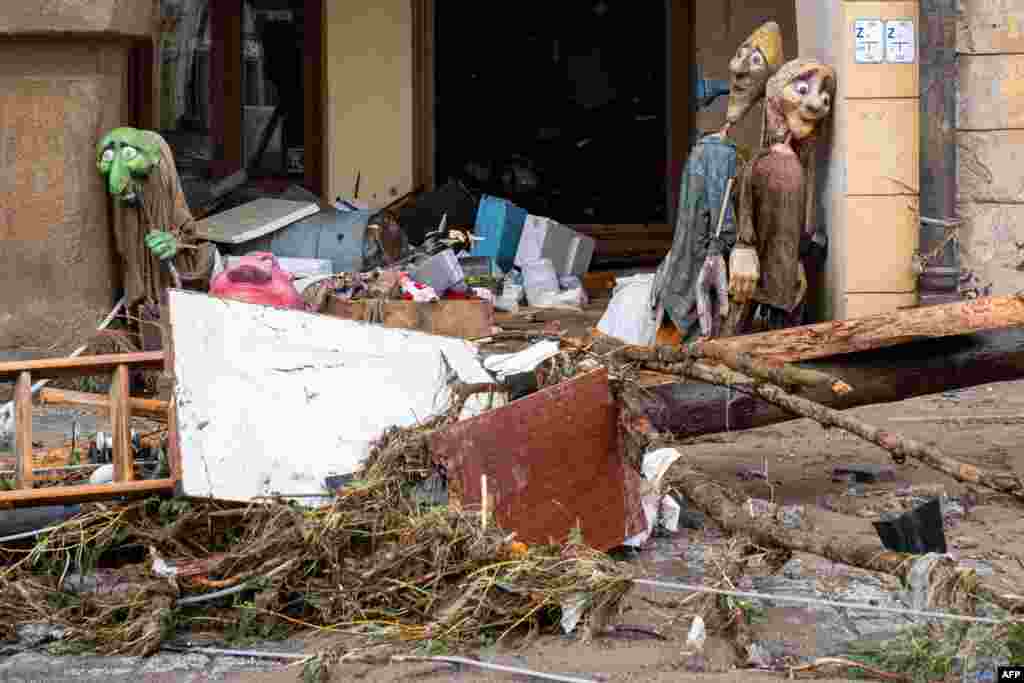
{"x":163,"y":208}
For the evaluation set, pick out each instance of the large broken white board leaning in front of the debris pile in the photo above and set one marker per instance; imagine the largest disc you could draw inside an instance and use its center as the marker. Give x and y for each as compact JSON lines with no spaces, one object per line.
{"x":273,"y":401}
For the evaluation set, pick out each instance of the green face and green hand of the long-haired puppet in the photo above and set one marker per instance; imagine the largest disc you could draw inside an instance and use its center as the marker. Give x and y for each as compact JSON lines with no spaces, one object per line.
{"x":125,"y":158}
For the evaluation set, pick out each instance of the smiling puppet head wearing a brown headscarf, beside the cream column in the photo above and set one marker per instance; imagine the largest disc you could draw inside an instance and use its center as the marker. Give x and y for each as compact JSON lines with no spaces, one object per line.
{"x":799,"y":100}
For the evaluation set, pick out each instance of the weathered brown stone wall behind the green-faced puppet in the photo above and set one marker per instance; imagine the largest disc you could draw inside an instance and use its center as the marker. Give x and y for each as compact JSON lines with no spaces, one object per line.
{"x":64,"y":82}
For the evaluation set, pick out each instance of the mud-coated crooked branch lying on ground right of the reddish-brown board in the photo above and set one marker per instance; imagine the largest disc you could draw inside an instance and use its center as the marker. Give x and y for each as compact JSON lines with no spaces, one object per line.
{"x":724,"y":507}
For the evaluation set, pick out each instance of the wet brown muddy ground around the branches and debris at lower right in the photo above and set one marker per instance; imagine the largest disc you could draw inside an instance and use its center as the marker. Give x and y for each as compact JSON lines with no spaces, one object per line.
{"x":801,"y":457}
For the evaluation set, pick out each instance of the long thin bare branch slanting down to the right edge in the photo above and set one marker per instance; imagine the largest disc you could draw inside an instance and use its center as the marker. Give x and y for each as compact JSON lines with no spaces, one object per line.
{"x":901,"y":447}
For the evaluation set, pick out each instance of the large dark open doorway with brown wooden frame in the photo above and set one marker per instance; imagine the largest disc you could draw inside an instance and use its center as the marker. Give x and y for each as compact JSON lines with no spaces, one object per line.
{"x":577,"y":111}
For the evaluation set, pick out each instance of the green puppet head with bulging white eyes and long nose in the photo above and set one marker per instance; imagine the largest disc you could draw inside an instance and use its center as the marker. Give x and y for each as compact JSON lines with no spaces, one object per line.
{"x":126,"y":157}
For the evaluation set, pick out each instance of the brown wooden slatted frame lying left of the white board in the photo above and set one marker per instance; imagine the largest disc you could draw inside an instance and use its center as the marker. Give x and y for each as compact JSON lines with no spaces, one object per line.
{"x":121,"y":408}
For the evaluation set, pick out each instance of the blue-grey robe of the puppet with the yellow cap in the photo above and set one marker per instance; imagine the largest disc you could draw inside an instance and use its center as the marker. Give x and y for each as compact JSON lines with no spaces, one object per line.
{"x":711,"y":164}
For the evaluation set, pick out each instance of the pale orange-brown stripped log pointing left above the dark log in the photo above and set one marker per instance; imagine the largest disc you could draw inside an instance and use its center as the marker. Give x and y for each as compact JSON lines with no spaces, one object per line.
{"x":874,"y":332}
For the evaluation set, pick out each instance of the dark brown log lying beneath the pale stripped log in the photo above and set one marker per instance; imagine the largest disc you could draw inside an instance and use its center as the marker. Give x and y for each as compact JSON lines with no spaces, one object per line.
{"x":694,"y":409}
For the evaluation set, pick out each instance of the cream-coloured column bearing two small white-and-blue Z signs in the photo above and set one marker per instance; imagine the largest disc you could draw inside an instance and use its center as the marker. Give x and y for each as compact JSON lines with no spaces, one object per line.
{"x":870,"y":189}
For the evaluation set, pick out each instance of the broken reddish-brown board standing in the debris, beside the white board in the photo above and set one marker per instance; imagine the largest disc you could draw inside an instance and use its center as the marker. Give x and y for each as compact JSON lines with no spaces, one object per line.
{"x":552,"y":459}
